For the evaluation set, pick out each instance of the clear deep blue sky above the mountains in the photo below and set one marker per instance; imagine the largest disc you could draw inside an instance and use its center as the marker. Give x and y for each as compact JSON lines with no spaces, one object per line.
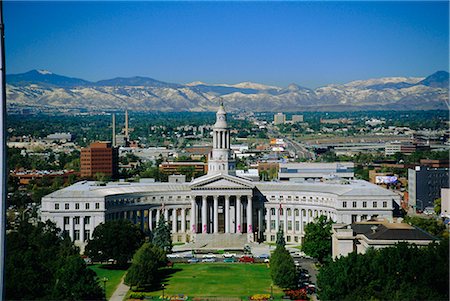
{"x":277,"y":43}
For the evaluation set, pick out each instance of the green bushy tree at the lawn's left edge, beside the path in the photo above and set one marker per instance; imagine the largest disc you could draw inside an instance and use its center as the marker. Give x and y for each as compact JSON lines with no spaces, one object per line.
{"x":144,"y":270}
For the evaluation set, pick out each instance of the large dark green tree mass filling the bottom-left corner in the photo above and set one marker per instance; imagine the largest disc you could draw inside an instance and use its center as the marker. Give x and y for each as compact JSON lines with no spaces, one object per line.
{"x":41,"y":262}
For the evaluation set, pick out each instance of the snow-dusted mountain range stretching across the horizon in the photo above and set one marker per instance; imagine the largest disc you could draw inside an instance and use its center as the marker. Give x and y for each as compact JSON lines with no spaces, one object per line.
{"x":41,"y":88}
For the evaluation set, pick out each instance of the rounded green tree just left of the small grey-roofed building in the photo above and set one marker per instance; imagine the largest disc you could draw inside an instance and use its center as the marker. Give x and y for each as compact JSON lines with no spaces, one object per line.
{"x":317,"y":241}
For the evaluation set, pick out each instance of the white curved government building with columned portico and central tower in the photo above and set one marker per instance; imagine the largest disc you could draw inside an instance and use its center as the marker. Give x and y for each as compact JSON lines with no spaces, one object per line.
{"x":218,"y":206}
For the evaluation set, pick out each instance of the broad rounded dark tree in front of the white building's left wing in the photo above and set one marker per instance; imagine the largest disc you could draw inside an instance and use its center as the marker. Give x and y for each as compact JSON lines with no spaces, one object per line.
{"x":116,"y":240}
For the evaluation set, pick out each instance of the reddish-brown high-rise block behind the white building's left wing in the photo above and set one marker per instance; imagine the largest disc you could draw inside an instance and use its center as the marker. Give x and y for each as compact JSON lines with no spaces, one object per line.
{"x":99,"y":157}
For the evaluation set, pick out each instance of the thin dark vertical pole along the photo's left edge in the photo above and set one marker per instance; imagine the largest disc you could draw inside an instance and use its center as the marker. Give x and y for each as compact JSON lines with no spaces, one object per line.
{"x":3,"y":166}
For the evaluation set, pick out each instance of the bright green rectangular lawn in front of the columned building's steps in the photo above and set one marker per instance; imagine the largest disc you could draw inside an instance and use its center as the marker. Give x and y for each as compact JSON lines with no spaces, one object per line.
{"x":217,"y":280}
